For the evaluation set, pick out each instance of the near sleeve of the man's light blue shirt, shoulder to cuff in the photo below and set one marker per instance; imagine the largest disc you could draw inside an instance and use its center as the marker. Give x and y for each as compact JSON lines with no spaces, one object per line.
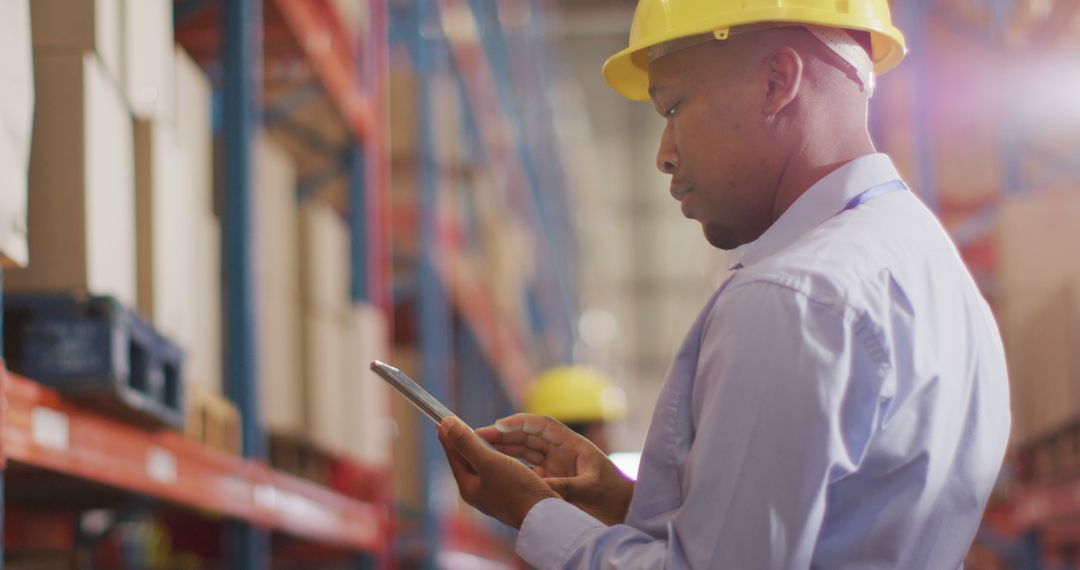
{"x":785,"y":402}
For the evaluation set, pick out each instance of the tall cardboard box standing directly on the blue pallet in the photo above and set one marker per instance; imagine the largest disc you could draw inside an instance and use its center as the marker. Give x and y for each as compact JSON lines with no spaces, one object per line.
{"x":83,"y":198}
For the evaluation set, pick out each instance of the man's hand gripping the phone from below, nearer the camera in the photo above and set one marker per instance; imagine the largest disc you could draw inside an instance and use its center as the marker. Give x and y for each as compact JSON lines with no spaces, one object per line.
{"x":491,"y":482}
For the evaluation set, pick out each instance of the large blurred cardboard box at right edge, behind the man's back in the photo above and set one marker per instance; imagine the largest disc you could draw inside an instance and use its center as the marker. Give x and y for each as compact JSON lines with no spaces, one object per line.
{"x":1039,"y":310}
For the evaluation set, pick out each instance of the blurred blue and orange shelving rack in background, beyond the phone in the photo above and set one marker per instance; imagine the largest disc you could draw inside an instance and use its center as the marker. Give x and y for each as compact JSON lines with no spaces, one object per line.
{"x":469,"y":351}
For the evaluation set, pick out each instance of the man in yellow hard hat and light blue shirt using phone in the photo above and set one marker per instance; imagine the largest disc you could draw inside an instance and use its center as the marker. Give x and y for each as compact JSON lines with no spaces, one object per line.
{"x":842,"y":401}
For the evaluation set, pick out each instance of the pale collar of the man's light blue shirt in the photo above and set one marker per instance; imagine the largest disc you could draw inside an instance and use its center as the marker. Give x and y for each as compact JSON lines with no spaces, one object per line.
{"x":826,"y":199}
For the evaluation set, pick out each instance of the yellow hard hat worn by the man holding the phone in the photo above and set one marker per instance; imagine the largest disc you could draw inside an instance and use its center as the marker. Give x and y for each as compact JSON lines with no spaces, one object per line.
{"x":660,"y":21}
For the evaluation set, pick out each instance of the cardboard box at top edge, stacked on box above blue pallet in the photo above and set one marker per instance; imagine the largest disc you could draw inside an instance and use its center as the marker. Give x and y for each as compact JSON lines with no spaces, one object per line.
{"x":67,"y":26}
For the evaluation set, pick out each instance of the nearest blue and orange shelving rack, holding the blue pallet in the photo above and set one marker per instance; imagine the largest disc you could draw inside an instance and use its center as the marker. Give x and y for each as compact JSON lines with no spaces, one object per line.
{"x":58,"y":455}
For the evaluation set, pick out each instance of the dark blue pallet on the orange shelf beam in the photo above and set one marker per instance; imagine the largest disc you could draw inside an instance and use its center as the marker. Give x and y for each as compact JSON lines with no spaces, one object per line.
{"x":98,"y":351}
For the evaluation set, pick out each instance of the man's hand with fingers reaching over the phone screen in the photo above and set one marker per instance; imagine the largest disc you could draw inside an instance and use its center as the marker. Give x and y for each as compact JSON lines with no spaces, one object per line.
{"x":570,"y":465}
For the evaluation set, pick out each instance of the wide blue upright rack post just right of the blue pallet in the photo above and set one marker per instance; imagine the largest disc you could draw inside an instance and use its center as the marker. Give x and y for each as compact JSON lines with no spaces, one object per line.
{"x":248,"y":548}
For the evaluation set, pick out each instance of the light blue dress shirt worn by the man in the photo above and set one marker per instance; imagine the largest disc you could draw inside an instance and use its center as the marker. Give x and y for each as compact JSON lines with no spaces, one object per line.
{"x":842,"y":402}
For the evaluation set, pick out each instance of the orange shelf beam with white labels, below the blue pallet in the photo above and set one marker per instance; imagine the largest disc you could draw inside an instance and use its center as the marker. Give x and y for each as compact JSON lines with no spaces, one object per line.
{"x":45,"y":430}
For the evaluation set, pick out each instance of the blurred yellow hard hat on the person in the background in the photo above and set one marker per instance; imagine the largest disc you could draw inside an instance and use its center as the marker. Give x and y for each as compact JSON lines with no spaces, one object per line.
{"x":574,"y":395}
